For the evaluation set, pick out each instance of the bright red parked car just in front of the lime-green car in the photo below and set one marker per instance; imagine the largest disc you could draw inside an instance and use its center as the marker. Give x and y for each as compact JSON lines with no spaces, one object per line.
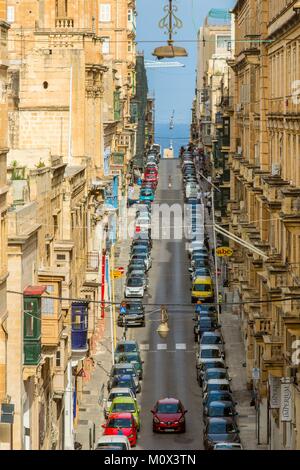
{"x":124,"y":423}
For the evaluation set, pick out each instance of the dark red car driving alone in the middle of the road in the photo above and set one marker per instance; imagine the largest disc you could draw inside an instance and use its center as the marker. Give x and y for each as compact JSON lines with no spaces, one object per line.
{"x":169,"y":416}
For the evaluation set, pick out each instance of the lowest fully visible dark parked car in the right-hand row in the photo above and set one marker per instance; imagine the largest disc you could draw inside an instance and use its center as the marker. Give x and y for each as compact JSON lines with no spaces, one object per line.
{"x":220,"y":430}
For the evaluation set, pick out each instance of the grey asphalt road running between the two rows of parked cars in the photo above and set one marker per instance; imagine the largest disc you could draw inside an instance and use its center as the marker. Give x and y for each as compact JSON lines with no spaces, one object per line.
{"x":169,"y":372}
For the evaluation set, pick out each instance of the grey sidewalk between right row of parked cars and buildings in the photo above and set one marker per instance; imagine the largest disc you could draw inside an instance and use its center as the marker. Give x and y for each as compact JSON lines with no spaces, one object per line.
{"x":235,"y":360}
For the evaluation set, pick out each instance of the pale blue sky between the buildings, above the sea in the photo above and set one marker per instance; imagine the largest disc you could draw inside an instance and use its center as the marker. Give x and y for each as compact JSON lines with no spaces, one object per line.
{"x":173,"y":88}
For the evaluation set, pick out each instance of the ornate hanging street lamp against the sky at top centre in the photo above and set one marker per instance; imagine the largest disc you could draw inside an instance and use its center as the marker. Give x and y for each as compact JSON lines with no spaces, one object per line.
{"x":170,"y":22}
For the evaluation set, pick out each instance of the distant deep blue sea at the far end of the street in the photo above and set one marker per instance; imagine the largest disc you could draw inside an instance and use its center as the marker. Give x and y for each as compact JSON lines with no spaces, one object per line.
{"x":179,"y":135}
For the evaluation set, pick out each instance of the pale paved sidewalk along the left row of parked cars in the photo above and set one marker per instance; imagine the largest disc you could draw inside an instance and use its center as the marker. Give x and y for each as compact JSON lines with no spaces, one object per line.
{"x":90,"y":413}
